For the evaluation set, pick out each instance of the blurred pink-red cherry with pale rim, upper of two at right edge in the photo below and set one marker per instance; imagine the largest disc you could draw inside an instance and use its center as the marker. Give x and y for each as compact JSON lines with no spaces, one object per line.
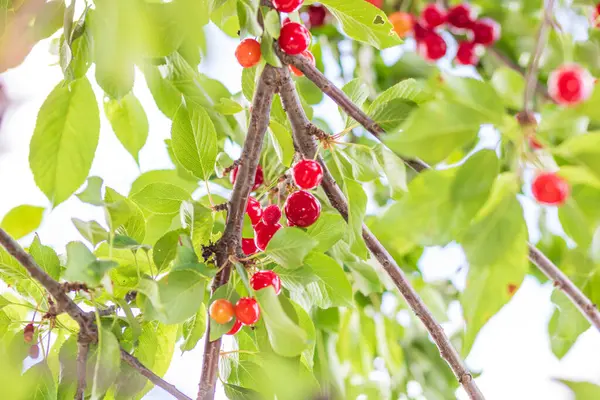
{"x":570,"y":84}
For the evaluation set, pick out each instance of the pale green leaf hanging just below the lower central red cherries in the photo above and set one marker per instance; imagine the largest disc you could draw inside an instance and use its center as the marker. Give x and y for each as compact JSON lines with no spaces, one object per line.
{"x":287,"y":338}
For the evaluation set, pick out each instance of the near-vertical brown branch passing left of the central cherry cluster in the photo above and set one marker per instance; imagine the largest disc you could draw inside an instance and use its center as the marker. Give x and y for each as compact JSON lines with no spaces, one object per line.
{"x":230,"y":242}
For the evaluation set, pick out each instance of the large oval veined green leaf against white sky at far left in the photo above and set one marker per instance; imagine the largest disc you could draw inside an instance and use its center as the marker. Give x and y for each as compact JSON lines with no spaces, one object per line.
{"x":64,"y":141}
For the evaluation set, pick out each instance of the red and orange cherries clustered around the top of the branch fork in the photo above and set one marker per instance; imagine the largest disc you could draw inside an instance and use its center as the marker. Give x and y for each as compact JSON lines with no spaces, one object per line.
{"x":294,"y":39}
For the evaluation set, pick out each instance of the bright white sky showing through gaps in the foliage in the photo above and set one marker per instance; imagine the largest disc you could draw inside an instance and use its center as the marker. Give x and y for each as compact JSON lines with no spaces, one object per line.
{"x":513,"y":349}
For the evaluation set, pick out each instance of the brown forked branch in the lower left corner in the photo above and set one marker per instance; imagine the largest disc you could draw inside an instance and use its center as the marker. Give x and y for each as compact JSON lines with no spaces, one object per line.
{"x":88,"y":332}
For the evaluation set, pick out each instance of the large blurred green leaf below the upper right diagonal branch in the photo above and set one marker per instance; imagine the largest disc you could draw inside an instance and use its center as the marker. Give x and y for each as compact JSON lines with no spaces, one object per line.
{"x":448,"y":125}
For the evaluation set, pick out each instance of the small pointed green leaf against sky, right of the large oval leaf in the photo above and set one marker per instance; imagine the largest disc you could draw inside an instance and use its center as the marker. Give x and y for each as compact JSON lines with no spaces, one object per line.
{"x":129,"y":122}
